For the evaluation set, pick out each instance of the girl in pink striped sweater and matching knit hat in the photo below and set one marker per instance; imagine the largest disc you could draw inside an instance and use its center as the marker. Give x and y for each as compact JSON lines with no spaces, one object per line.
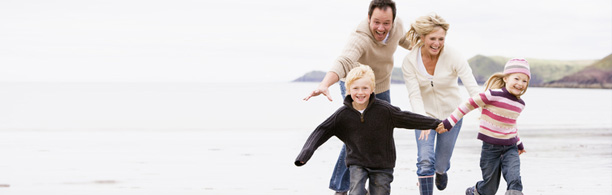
{"x":501,"y":105}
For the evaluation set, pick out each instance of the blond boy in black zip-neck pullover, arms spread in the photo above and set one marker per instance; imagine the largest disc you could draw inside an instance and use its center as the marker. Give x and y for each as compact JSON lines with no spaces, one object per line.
{"x":365,"y":125}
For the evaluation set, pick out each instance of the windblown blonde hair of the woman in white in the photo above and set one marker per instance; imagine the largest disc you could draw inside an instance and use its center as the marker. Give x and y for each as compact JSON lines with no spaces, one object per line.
{"x":422,"y":26}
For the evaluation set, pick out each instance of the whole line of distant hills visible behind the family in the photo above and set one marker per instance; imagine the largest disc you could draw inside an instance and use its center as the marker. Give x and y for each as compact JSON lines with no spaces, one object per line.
{"x":544,"y":72}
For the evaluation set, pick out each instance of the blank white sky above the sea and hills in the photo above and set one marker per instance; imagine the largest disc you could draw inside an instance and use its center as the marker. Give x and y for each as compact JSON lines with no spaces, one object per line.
{"x":265,"y":41}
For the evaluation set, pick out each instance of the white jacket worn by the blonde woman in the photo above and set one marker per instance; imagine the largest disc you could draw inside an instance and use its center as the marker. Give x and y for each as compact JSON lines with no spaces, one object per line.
{"x":439,"y":97}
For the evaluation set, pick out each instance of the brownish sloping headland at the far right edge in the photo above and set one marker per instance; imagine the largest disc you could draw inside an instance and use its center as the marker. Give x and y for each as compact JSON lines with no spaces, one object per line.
{"x":597,"y":75}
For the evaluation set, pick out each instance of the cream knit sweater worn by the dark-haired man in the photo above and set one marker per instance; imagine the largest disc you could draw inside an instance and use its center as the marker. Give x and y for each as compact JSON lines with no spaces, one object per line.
{"x":362,"y":48}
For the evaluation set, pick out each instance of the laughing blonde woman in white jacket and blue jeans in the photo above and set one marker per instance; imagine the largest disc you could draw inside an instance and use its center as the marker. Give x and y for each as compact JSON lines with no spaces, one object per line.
{"x":431,"y":71}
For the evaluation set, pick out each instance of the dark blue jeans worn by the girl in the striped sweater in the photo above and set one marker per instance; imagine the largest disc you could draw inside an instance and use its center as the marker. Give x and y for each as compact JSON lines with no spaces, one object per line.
{"x":496,"y":160}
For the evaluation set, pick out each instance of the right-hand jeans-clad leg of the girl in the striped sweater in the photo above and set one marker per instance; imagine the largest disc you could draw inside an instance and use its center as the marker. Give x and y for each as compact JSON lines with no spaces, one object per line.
{"x":511,"y":170}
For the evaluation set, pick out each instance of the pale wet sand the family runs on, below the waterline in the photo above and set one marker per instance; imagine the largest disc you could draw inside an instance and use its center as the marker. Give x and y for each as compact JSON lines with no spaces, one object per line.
{"x":261,"y":162}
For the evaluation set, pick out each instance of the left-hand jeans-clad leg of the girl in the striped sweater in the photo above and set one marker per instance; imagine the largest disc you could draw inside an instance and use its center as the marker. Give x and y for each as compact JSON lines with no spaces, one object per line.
{"x":490,"y":164}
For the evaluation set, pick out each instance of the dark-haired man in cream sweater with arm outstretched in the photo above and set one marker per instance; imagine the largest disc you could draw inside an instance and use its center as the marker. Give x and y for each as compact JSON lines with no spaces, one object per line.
{"x":373,"y":43}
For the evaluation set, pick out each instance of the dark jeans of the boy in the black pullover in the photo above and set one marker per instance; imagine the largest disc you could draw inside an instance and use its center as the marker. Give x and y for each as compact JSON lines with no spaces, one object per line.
{"x":380,"y":180}
